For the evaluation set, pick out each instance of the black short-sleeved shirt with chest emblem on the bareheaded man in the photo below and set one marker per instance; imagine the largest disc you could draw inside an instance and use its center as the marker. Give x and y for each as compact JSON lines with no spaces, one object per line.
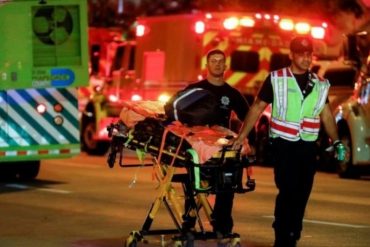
{"x":229,"y":98}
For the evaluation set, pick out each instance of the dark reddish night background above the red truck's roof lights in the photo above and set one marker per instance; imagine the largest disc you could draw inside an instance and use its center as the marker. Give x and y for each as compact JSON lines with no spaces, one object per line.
{"x":347,"y":15}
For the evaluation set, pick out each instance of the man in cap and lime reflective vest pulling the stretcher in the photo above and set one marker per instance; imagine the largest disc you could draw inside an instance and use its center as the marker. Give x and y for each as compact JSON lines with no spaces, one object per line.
{"x":299,"y":102}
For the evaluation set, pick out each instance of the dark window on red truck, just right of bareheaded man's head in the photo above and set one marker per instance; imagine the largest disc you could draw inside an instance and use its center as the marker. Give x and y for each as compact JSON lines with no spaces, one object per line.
{"x":245,"y":61}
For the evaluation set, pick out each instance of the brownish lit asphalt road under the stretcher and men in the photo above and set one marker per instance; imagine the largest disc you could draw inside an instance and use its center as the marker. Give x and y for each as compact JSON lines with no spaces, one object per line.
{"x":80,"y":202}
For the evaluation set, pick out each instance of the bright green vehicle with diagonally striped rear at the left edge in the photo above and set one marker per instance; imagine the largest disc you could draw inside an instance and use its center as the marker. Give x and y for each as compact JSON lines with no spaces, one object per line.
{"x":43,"y":61}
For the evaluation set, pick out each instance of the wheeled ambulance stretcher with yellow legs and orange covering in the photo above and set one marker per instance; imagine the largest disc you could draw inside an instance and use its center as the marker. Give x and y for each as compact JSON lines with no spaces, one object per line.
{"x":210,"y":165}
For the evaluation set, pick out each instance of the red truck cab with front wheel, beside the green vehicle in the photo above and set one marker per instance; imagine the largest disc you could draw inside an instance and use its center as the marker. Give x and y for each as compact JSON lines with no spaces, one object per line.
{"x":111,"y":72}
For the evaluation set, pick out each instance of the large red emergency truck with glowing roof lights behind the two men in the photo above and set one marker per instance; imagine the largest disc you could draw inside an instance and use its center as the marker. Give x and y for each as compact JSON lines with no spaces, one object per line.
{"x":169,"y":52}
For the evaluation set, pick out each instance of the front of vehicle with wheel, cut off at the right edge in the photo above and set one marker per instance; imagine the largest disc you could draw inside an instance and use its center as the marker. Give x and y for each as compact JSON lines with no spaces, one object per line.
{"x":353,"y":116}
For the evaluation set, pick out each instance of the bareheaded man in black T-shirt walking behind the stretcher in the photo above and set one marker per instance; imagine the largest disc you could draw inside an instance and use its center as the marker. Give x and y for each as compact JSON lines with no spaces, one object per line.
{"x":229,"y":100}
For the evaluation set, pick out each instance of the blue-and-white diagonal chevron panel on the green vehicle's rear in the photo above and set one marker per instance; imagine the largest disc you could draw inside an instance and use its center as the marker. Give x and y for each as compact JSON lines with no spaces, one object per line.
{"x":22,"y":126}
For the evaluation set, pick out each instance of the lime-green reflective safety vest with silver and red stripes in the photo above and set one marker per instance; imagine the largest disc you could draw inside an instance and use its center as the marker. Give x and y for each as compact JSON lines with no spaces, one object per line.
{"x":293,"y":117}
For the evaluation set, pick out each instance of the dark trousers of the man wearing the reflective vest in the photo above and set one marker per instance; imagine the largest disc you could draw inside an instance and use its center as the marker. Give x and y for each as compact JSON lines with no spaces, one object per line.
{"x":294,"y":170}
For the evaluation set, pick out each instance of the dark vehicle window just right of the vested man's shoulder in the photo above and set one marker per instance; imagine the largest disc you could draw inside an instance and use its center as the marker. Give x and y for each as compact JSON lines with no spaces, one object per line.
{"x":341,"y":77}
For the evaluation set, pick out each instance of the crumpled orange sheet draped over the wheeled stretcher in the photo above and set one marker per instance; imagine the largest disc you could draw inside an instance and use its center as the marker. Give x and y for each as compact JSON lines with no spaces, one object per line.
{"x":206,"y":141}
